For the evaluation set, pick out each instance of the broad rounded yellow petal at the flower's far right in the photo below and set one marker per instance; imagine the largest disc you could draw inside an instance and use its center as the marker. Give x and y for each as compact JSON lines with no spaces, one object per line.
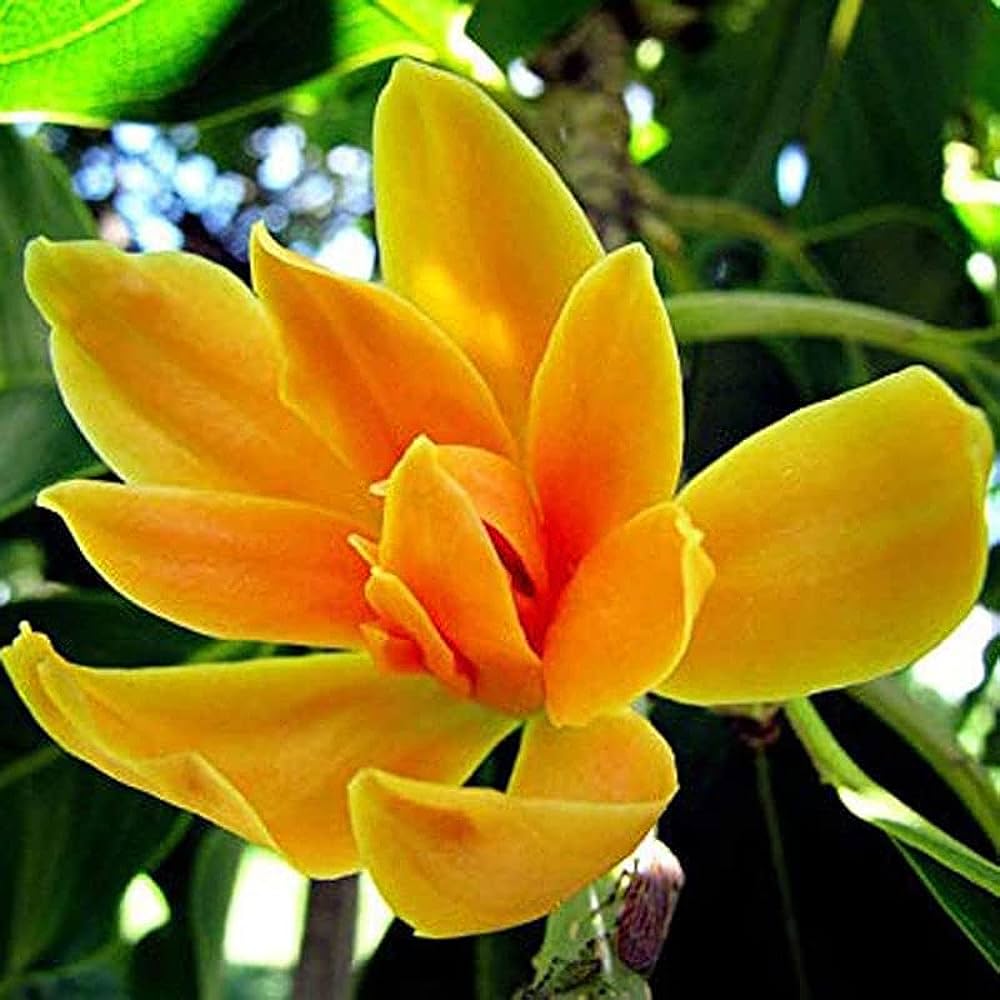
{"x":847,"y":540}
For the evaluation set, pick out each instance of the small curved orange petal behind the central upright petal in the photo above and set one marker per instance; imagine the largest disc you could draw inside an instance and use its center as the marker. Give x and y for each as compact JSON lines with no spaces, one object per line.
{"x":500,"y":495}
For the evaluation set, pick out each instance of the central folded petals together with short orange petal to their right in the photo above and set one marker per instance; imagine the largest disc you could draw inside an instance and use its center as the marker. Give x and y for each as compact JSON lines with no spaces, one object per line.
{"x":466,"y":584}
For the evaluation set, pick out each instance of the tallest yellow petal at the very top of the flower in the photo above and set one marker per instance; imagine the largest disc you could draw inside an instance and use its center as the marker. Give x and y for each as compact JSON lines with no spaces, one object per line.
{"x":474,"y":225}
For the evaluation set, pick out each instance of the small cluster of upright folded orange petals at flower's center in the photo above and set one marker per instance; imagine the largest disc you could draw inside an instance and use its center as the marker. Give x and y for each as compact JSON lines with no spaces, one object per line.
{"x":459,"y":581}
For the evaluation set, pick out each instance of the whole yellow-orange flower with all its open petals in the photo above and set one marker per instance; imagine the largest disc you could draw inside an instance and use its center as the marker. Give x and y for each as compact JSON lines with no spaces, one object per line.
{"x":514,"y":397}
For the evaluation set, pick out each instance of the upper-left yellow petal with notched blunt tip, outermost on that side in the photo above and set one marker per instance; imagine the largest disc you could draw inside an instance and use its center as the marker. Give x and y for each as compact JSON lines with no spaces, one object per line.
{"x":170,"y":367}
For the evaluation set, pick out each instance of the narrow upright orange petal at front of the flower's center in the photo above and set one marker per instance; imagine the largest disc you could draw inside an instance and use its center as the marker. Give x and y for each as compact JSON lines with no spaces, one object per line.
{"x":433,"y":539}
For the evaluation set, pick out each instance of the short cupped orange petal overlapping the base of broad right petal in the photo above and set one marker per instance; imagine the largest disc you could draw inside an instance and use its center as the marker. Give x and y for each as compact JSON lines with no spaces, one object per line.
{"x":625,"y":618}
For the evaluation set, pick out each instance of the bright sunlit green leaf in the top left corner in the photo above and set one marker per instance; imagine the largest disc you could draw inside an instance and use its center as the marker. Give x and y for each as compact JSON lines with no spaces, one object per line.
{"x":173,"y":61}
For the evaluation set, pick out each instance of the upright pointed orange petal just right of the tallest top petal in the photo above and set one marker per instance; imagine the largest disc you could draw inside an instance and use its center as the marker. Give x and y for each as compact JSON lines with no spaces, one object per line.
{"x":604,"y":432}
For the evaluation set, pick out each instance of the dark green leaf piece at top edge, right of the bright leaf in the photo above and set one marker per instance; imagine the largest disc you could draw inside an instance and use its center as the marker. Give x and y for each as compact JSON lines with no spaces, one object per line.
{"x":507,"y":29}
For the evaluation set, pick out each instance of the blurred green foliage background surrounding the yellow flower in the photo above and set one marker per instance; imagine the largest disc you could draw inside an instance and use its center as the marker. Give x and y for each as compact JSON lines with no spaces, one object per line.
{"x":819,"y":181}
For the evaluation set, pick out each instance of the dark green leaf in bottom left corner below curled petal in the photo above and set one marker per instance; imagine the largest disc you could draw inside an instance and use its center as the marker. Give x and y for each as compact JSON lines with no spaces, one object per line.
{"x":70,"y":842}
